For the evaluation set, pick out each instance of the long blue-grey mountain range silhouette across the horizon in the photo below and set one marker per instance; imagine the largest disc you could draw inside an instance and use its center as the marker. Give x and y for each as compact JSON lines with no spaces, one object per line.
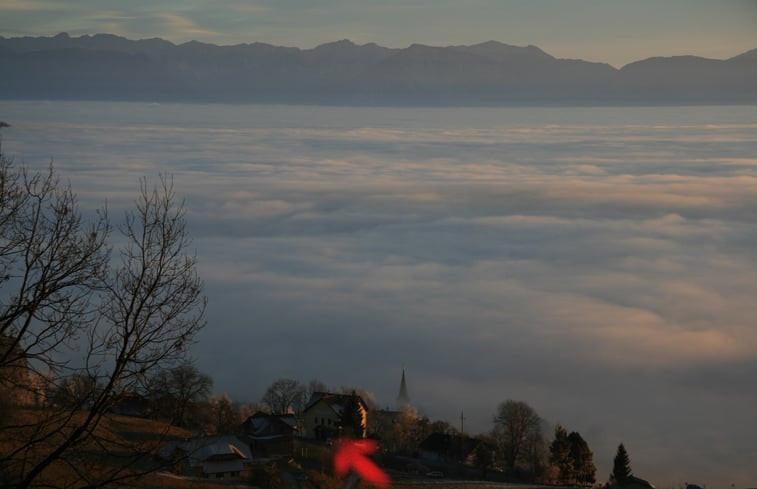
{"x":109,"y":67}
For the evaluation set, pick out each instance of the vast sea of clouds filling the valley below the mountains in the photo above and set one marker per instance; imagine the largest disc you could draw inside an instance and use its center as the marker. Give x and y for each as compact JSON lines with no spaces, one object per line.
{"x":597,"y":263}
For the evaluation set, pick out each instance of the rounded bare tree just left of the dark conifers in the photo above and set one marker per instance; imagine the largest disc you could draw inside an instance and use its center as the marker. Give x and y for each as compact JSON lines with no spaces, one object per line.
{"x":517,"y":431}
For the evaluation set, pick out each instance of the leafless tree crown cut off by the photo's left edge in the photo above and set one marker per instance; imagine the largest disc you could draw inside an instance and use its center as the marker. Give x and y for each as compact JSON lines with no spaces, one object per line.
{"x":51,"y":266}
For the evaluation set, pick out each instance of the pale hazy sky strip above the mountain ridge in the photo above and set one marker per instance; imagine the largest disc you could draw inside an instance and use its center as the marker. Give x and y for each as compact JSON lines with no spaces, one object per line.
{"x":613,"y":31}
